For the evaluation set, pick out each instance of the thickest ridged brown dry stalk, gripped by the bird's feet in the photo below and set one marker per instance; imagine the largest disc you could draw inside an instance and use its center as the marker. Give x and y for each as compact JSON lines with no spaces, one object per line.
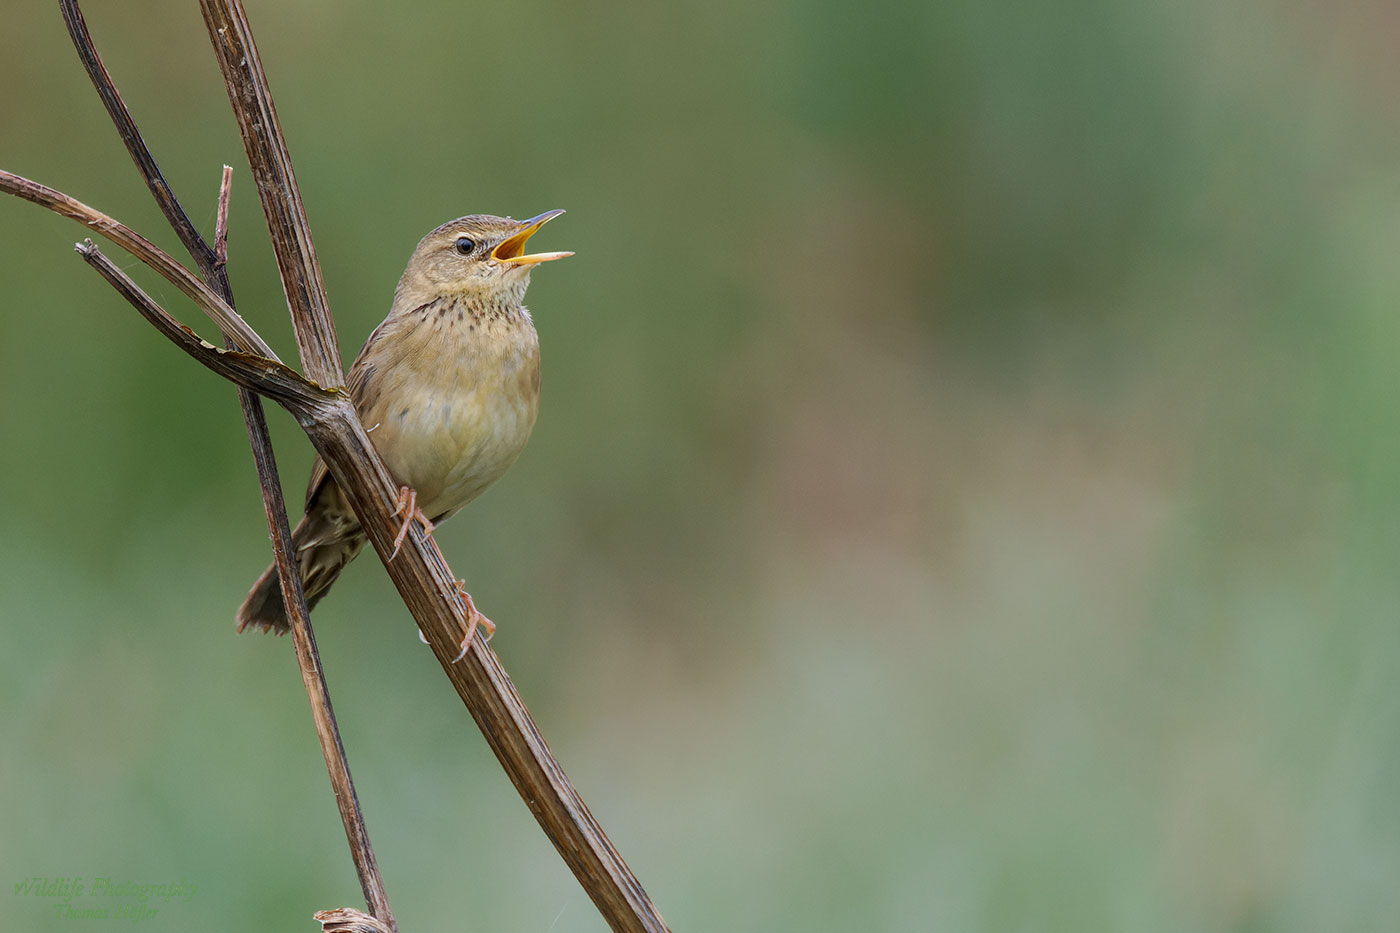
{"x":419,"y":572}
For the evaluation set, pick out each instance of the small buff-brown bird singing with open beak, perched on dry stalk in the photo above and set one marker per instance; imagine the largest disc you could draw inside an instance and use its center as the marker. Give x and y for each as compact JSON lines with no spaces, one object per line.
{"x":447,"y":387}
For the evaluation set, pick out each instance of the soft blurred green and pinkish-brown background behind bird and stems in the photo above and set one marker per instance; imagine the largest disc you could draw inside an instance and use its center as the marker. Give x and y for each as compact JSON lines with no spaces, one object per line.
{"x":964,"y":495}
